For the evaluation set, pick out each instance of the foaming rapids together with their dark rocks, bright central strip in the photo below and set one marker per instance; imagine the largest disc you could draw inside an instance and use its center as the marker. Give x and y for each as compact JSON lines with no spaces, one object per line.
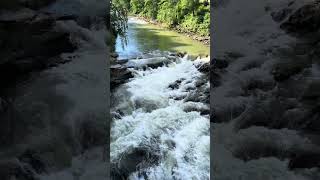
{"x":160,"y":112}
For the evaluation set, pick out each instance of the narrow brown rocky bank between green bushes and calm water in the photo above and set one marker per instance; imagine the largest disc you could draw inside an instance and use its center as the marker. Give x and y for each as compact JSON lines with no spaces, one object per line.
{"x":203,"y":39}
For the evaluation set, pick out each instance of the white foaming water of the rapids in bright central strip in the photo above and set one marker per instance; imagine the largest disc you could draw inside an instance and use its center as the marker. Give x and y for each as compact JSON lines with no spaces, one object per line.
{"x":155,"y":118}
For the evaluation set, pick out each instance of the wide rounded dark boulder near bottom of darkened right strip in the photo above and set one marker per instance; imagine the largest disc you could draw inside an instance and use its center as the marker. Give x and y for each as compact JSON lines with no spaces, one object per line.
{"x":257,"y":142}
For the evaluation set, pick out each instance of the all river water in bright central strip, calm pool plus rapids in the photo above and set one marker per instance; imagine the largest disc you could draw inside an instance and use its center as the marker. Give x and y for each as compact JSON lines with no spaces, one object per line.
{"x":159,"y":120}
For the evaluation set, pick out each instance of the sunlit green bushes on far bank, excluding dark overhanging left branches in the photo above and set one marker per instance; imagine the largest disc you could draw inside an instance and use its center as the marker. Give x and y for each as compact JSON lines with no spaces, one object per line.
{"x":187,"y":15}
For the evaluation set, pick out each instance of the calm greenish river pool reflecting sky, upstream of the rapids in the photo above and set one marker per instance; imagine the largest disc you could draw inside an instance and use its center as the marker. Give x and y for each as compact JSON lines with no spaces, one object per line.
{"x":144,"y":38}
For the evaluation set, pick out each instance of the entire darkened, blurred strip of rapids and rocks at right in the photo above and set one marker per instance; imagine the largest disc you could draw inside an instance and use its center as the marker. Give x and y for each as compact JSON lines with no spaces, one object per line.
{"x":265,"y":90}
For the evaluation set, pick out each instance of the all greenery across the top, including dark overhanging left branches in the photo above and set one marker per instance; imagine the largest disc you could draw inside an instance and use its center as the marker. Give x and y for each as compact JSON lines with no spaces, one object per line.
{"x":182,"y":15}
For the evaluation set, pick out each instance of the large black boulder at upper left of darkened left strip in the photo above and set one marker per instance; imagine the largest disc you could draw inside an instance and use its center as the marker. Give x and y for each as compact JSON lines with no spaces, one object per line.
{"x":35,"y":45}
